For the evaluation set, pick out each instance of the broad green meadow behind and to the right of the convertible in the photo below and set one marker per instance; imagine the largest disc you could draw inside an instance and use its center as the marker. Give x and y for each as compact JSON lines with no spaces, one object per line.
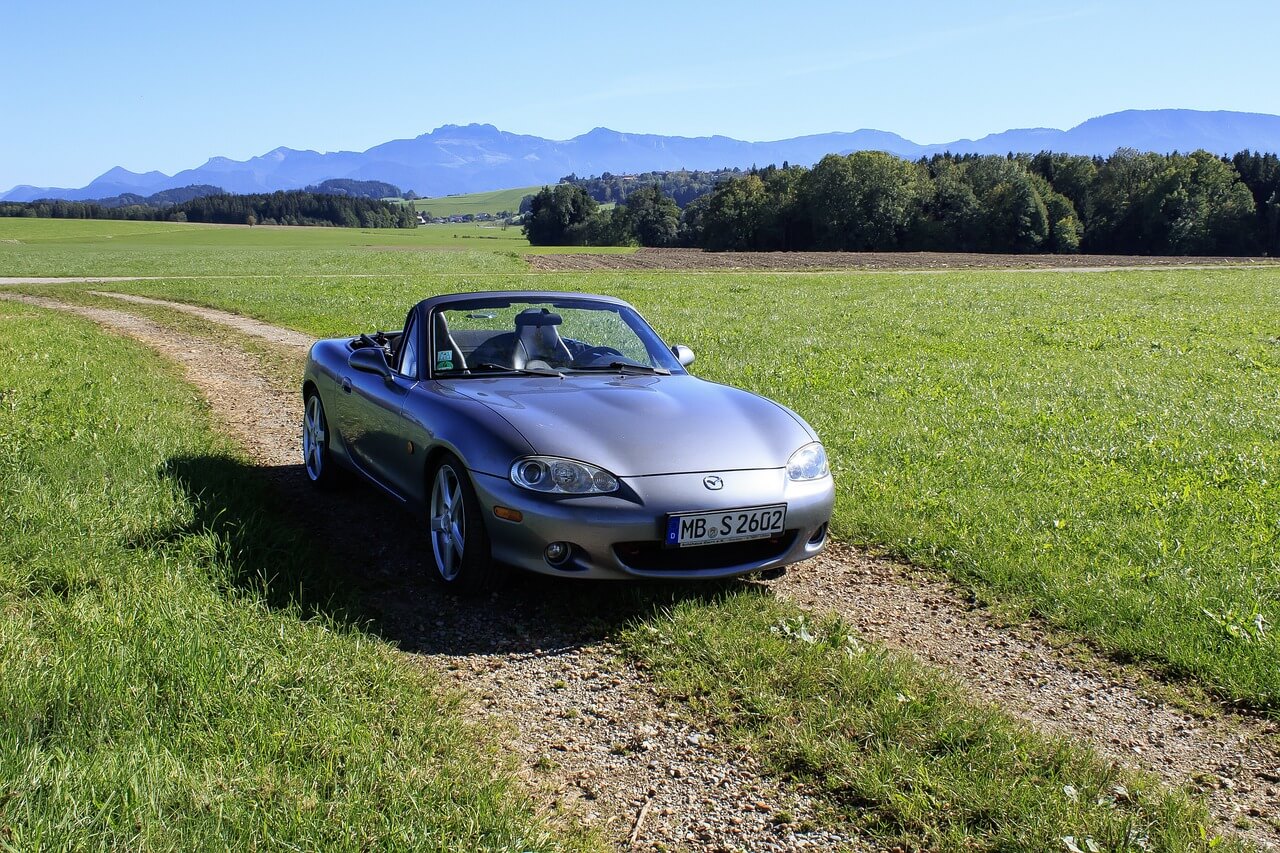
{"x":1099,"y":449}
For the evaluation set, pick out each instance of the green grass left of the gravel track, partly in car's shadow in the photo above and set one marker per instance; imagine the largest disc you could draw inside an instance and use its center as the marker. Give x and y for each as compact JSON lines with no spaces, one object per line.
{"x":172,"y":678}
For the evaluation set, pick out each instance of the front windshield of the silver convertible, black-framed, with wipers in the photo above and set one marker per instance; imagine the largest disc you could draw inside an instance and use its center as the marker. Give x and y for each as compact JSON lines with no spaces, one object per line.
{"x":537,"y":337}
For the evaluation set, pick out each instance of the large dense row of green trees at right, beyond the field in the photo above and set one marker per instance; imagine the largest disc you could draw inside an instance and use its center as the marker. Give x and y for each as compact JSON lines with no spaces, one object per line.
{"x":1130,"y":204}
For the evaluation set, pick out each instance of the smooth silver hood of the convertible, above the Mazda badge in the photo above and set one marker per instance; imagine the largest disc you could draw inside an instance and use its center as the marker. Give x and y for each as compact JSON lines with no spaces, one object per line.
{"x":644,"y":426}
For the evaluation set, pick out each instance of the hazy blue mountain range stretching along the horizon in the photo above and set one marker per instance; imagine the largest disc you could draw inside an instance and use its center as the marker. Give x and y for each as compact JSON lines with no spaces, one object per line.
{"x":474,"y":158}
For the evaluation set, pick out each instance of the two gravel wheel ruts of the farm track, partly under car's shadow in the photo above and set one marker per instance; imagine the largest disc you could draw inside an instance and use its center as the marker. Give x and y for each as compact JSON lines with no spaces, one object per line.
{"x":591,"y":732}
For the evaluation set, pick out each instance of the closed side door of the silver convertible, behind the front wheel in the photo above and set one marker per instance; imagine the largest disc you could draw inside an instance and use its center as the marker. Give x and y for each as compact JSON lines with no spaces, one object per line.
{"x":377,"y":434}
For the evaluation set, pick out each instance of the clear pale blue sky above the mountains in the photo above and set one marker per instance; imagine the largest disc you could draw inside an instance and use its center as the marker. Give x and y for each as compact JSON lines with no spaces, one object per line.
{"x":92,"y":85}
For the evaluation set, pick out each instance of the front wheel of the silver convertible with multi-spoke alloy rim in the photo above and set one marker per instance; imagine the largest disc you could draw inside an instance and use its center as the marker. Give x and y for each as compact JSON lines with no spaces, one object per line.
{"x":460,"y":544}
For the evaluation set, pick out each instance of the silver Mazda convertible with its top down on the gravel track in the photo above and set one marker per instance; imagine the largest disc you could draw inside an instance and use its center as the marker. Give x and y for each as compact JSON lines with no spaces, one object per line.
{"x":556,"y":432}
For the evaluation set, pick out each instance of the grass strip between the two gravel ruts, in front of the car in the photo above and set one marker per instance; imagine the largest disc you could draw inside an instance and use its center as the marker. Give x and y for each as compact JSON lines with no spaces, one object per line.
{"x":893,"y":745}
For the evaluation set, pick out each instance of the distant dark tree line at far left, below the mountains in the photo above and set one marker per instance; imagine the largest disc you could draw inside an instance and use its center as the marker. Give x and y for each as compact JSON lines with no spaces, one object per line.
{"x":285,"y":208}
